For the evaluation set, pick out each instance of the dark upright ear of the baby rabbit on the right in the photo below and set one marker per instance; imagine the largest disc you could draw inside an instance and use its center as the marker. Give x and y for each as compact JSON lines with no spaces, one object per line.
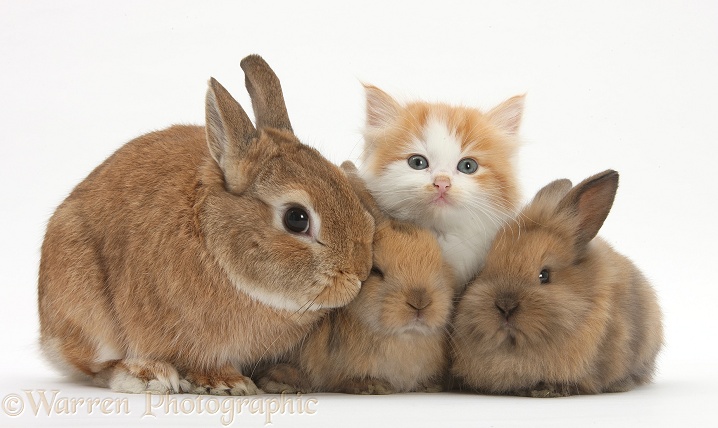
{"x":589,"y":203}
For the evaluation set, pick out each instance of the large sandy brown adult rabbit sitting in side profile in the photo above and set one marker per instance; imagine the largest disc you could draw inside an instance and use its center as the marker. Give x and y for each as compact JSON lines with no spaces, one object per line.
{"x":193,"y":252}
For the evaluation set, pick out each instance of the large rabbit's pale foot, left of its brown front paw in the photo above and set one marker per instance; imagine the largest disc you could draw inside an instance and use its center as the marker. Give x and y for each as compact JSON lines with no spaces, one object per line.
{"x":136,"y":376}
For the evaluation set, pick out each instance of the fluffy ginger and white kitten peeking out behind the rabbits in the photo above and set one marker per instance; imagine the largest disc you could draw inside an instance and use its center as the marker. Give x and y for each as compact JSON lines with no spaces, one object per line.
{"x":447,"y":168}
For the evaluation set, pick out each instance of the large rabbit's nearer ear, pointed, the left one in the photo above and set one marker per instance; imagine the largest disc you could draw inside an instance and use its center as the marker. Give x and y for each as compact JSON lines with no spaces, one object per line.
{"x":229,"y":132}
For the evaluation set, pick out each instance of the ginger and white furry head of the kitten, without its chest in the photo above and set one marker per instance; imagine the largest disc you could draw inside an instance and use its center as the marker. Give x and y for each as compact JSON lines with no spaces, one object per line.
{"x":444,"y":136}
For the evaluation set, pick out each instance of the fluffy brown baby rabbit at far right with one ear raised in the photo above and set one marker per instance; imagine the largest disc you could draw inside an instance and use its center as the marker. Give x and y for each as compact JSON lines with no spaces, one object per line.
{"x":556,"y":311}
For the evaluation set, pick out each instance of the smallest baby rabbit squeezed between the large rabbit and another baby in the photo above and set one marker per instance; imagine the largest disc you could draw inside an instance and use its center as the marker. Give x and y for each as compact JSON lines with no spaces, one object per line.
{"x":392,"y":337}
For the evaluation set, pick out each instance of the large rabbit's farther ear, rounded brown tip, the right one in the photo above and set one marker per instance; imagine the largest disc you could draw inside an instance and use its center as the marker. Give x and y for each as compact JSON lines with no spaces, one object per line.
{"x":265,"y":91}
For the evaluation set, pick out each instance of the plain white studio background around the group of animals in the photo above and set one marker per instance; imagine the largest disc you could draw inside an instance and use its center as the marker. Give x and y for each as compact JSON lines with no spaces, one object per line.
{"x":629,"y":85}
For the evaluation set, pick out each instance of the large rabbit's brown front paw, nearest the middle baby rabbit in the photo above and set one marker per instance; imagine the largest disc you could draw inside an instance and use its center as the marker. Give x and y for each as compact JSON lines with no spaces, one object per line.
{"x":224,"y":381}
